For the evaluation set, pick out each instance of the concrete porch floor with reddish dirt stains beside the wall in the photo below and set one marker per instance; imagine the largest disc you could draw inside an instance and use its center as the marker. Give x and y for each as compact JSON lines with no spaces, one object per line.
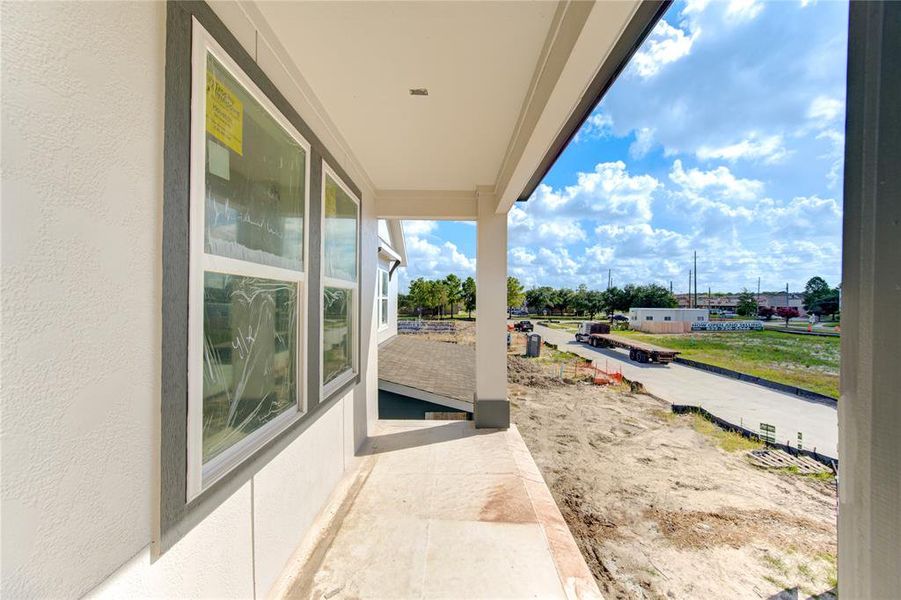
{"x":439,"y":509}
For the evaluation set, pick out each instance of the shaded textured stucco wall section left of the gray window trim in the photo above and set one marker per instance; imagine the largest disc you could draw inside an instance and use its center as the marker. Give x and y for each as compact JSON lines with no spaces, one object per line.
{"x":82,"y":169}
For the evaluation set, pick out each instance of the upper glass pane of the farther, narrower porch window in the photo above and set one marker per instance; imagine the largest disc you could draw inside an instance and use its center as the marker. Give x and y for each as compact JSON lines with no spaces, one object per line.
{"x":340,"y":241}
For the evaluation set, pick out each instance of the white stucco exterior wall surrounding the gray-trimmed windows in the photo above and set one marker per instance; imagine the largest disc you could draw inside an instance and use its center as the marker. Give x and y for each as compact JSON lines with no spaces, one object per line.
{"x":82,"y":150}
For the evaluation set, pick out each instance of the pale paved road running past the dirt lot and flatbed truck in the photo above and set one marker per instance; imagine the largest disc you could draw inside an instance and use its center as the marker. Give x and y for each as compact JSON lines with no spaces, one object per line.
{"x":736,"y":401}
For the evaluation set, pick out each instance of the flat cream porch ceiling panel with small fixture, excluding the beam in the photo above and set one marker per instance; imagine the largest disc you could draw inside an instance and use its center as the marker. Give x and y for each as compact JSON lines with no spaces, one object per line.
{"x":362,"y":58}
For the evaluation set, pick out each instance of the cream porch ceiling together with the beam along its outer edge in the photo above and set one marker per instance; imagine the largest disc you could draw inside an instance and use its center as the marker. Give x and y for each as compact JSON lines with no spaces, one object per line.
{"x":502,"y":79}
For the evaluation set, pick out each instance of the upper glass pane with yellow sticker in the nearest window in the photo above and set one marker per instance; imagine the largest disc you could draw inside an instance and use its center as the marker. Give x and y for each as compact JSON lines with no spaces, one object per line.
{"x":255,"y":178}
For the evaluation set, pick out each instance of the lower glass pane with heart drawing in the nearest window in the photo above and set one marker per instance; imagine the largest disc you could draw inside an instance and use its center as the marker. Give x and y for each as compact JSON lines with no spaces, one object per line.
{"x":249,"y":358}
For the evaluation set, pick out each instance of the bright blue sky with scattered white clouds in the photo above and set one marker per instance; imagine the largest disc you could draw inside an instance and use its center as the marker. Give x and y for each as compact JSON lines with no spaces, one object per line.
{"x":724,"y":135}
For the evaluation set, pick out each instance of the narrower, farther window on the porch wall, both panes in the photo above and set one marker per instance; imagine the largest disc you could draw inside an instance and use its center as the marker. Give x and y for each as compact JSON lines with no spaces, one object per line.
{"x":340,"y":273}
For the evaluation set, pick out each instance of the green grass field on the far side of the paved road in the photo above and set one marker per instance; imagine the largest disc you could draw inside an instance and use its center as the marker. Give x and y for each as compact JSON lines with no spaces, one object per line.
{"x":808,"y":362}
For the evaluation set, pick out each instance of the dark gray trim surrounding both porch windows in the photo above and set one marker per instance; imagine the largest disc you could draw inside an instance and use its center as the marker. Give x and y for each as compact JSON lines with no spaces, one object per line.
{"x":177,"y":516}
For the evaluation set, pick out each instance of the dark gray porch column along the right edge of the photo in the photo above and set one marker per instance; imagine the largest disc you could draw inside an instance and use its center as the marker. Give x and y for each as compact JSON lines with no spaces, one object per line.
{"x":869,"y":411}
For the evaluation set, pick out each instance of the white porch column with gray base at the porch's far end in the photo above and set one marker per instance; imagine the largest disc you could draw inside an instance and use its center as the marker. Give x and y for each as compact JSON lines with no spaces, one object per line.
{"x":491,"y":406}
